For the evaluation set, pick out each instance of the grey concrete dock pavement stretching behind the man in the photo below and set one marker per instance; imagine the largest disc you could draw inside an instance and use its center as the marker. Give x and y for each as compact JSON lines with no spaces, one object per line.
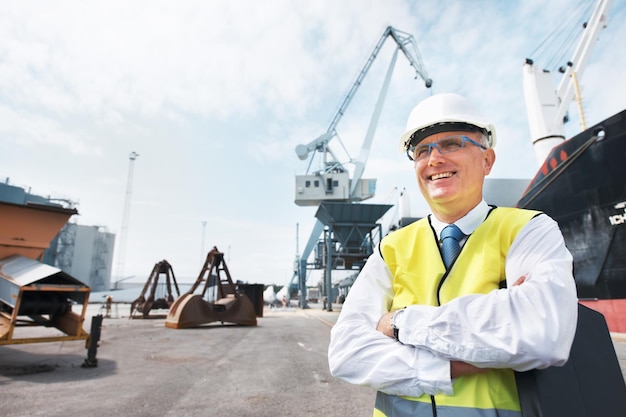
{"x":278,"y":368}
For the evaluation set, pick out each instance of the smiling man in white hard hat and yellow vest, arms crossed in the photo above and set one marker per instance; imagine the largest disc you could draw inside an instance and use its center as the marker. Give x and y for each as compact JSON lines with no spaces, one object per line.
{"x":435,"y":334}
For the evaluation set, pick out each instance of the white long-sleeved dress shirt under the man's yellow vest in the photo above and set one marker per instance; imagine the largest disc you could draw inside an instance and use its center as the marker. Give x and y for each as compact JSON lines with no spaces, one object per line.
{"x":522,"y":327}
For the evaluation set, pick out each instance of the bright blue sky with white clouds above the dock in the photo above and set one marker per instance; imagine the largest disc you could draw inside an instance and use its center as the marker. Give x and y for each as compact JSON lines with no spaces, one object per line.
{"x":214,"y":96}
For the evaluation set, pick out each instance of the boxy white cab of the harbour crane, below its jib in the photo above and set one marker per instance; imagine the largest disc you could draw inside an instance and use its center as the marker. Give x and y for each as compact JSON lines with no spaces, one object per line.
{"x":312,"y":189}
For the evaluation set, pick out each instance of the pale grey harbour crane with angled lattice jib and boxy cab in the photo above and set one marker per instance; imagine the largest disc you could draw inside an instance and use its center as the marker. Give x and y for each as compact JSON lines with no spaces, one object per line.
{"x":332,"y":183}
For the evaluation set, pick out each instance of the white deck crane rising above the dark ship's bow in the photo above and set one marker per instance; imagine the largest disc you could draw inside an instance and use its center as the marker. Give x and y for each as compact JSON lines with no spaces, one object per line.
{"x":547,"y":107}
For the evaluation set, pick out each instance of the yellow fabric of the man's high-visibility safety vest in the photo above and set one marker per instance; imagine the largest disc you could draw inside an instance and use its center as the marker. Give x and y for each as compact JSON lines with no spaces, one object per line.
{"x":419,"y":282}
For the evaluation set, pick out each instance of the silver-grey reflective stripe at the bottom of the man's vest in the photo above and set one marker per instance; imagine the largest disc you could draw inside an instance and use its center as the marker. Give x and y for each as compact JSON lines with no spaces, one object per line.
{"x":391,"y":406}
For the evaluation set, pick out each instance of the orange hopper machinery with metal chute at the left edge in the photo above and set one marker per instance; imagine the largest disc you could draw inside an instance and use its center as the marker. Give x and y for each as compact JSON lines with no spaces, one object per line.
{"x":33,"y":293}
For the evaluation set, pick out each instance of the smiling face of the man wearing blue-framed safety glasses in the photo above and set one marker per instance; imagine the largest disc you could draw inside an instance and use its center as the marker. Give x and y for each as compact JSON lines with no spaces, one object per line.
{"x":452,"y":183}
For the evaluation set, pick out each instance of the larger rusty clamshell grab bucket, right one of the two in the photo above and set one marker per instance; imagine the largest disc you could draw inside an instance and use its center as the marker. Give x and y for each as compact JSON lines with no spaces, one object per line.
{"x":218,"y":301}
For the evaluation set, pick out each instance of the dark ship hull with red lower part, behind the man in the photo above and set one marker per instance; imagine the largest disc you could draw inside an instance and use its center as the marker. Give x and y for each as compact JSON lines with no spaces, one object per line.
{"x":582,"y":185}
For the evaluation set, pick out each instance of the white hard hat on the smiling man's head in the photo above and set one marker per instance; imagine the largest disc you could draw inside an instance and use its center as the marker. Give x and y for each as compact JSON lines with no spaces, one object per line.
{"x":444,"y":112}
